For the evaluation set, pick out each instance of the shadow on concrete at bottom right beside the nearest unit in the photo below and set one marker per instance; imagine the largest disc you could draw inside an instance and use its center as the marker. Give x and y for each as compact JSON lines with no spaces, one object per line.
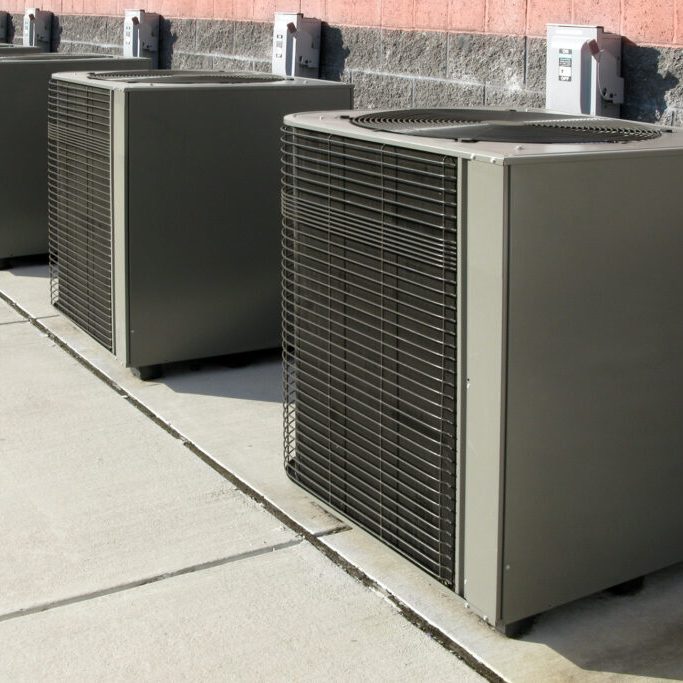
{"x":638,"y":634}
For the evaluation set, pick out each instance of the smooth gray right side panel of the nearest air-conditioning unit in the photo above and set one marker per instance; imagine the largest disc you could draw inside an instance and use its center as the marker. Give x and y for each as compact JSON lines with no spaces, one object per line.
{"x":594,"y":433}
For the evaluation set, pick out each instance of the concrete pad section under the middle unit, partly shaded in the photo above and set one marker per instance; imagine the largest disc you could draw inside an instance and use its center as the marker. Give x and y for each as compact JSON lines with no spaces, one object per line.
{"x":234,"y":414}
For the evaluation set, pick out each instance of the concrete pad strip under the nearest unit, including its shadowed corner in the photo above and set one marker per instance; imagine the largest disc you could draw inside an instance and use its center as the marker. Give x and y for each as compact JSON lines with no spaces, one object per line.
{"x":600,"y":638}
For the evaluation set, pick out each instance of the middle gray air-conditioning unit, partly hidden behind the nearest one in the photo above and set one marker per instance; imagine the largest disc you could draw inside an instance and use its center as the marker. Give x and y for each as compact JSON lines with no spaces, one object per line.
{"x":164,"y":208}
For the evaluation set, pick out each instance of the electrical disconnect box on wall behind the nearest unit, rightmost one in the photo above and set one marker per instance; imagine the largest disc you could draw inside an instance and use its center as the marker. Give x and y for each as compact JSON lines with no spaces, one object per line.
{"x":583,"y":70}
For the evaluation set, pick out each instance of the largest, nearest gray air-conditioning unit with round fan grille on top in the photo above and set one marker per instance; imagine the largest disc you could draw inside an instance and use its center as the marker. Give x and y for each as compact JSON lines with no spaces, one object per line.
{"x":483,"y":324}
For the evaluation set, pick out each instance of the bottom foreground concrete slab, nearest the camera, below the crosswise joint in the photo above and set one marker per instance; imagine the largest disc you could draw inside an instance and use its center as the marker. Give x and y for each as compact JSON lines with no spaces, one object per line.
{"x":290,"y":615}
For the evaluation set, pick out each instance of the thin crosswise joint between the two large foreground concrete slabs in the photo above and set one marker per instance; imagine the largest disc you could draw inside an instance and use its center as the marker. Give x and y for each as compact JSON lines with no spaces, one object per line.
{"x":120,"y":588}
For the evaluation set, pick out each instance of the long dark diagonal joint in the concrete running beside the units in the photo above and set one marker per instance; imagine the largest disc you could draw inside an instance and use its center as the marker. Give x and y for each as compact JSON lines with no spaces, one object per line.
{"x":407,"y":612}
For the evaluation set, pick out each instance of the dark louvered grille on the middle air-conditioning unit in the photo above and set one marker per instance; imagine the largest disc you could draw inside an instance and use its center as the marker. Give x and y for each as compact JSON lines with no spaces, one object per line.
{"x":80,"y":212}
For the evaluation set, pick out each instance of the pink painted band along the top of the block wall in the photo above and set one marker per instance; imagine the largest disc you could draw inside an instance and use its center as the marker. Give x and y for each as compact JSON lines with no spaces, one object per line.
{"x":656,"y":22}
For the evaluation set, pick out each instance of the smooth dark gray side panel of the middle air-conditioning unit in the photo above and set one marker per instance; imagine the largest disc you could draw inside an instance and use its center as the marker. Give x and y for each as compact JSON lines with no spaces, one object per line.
{"x":204,"y":218}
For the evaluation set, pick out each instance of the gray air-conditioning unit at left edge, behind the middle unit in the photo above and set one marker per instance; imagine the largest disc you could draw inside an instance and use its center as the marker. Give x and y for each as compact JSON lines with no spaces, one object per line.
{"x":23,"y":183}
